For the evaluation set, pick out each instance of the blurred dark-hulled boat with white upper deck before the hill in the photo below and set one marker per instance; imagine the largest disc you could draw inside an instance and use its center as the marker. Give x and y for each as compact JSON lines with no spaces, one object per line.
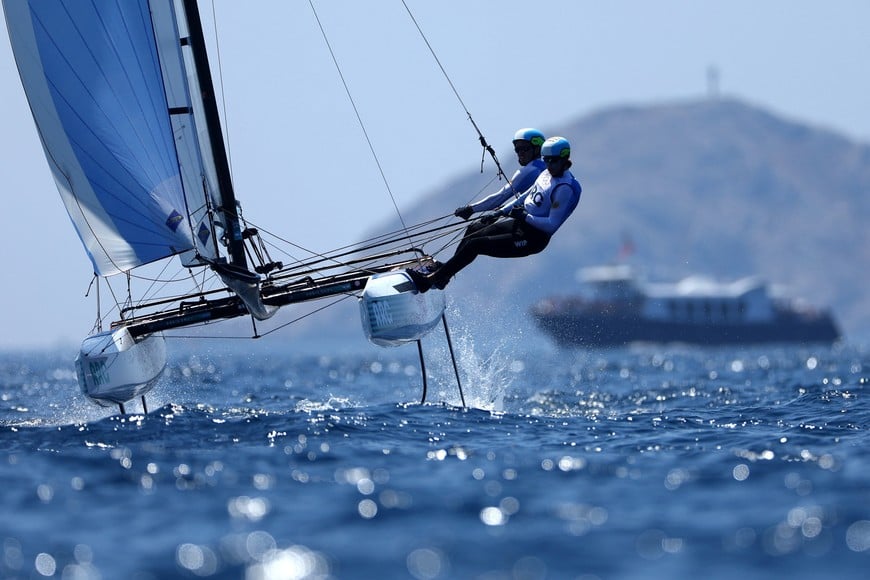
{"x":614,"y":307}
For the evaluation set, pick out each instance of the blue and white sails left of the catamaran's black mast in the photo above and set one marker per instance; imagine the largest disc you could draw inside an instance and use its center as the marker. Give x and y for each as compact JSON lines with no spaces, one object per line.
{"x":109,"y":93}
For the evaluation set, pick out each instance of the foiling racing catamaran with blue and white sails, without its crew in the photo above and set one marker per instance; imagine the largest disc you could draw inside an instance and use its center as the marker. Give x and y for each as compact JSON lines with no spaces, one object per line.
{"x":123,"y":100}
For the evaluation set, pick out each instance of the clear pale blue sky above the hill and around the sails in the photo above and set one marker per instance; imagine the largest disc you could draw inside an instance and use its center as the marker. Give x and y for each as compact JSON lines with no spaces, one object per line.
{"x":301,"y":162}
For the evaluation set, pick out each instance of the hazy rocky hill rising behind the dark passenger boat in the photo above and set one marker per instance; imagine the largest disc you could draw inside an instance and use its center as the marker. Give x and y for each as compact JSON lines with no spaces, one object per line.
{"x":715,"y":187}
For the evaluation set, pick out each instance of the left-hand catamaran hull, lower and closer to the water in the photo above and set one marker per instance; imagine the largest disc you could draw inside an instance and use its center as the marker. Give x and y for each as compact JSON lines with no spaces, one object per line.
{"x":113,"y":367}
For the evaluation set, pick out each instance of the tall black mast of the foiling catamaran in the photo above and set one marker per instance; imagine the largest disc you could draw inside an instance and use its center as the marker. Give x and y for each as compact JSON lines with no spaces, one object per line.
{"x":196,"y":40}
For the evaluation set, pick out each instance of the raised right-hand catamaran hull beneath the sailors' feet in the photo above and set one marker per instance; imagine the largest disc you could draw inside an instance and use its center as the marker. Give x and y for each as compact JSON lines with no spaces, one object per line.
{"x":394,"y":313}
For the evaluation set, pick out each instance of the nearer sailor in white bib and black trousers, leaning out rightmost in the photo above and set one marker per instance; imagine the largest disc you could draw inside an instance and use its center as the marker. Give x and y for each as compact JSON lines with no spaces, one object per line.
{"x":520,"y":227}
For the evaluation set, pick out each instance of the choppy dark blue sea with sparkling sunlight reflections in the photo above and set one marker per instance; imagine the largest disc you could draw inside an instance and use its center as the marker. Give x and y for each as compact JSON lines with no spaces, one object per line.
{"x":644,"y":462}
